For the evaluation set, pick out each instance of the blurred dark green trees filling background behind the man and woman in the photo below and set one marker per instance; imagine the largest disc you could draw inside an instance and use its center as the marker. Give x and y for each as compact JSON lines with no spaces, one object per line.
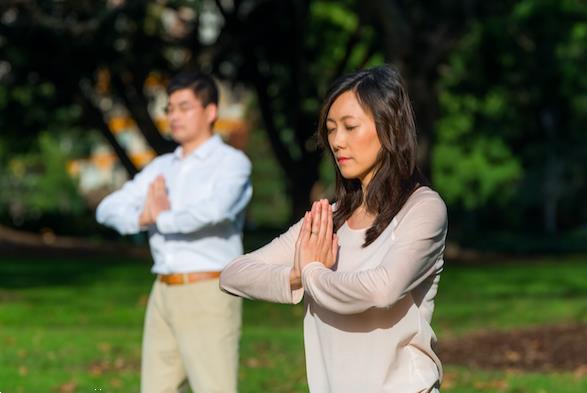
{"x":498,"y":91}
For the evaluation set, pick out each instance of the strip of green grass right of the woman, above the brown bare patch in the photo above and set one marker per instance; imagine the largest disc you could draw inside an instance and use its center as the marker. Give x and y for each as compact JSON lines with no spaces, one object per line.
{"x":509,"y":295}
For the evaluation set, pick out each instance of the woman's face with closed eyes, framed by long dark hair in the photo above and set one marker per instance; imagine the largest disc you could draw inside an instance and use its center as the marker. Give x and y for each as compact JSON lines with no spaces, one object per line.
{"x":353,"y":139}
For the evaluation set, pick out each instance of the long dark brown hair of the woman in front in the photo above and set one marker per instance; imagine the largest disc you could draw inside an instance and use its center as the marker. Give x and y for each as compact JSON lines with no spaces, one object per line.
{"x":381,"y":93}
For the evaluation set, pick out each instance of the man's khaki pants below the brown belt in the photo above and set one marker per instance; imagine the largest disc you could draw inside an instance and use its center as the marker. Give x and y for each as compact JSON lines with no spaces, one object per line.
{"x":191,"y":334}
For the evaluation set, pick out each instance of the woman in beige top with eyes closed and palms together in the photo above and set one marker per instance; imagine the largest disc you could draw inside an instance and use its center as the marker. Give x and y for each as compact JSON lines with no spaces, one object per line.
{"x":369,"y":270}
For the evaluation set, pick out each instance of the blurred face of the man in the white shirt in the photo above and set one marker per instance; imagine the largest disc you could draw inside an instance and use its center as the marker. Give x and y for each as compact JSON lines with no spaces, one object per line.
{"x":189,"y":121}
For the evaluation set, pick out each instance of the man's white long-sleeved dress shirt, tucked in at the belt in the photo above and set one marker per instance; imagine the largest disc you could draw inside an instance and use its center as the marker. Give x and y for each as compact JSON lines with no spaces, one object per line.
{"x":208,"y":192}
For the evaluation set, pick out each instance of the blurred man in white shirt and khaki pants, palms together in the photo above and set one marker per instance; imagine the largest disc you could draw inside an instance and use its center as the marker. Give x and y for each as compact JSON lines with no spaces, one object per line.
{"x":192,"y":203}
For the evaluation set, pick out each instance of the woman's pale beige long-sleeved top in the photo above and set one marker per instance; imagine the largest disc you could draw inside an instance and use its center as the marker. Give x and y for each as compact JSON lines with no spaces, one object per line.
{"x":367,"y":321}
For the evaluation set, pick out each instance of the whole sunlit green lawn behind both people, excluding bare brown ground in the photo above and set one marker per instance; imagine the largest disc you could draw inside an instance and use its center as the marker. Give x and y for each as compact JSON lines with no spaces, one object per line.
{"x":75,"y":325}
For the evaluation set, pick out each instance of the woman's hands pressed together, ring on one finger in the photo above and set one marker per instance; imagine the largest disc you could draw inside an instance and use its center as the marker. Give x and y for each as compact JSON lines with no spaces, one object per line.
{"x":316,"y":241}
